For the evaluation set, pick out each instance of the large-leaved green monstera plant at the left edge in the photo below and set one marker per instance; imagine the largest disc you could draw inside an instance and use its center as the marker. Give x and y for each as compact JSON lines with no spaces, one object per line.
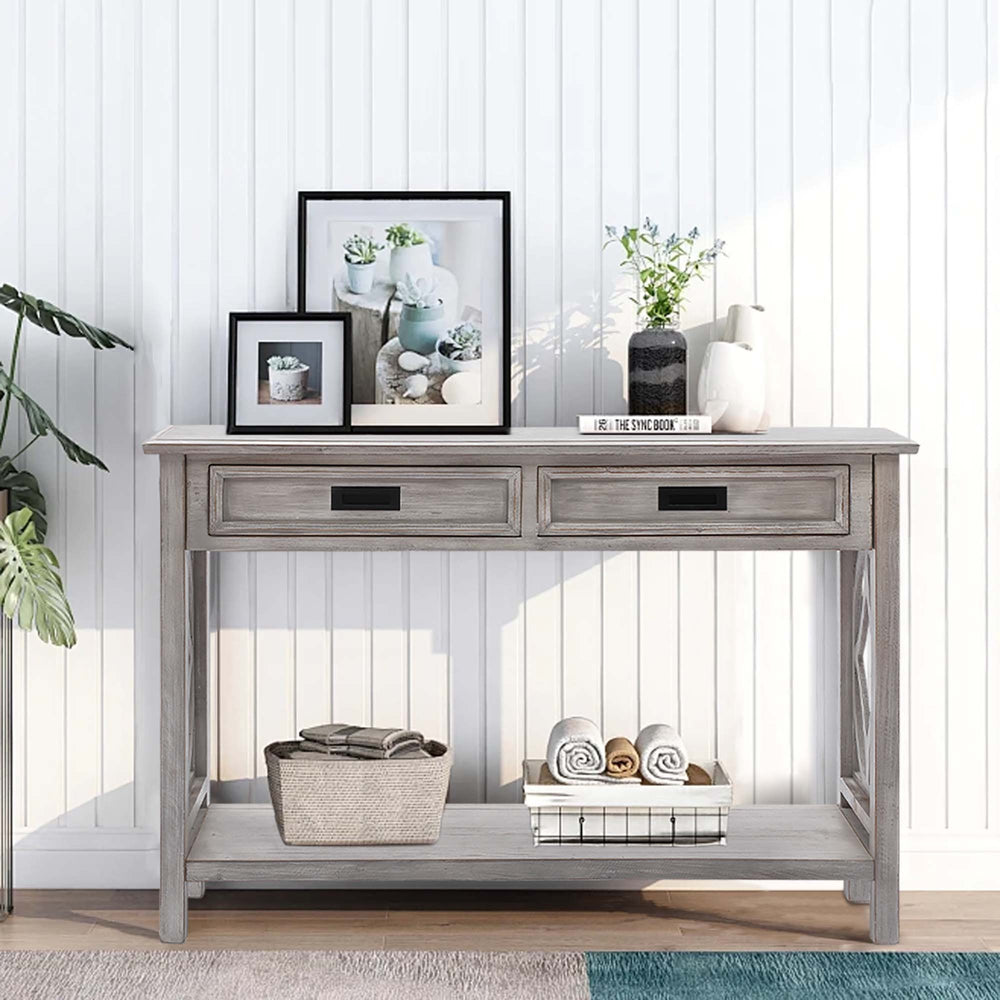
{"x":31,"y":591}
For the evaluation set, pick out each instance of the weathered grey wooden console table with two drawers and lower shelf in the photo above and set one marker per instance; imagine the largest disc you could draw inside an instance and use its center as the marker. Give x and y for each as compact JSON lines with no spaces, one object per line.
{"x":538,"y":488}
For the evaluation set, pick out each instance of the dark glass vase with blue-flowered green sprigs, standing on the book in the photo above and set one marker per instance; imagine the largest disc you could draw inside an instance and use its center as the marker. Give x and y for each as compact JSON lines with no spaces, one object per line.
{"x":657,"y":355}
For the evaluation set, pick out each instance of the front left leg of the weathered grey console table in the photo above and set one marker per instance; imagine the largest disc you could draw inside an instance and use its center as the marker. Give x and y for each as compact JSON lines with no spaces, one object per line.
{"x":173,"y":702}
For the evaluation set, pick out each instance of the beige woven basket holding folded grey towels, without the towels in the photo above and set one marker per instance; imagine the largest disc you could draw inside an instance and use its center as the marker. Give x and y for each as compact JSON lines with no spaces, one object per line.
{"x":319,"y":802}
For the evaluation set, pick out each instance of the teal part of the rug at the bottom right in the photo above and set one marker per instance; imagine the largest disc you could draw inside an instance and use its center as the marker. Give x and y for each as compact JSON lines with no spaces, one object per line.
{"x":793,"y":975}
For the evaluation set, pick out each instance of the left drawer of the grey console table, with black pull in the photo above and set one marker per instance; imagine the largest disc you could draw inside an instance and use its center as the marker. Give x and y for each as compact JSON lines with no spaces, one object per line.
{"x":351,"y":500}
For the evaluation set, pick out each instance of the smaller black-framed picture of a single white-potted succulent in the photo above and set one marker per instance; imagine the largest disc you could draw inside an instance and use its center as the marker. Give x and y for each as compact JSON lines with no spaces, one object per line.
{"x":289,"y":373}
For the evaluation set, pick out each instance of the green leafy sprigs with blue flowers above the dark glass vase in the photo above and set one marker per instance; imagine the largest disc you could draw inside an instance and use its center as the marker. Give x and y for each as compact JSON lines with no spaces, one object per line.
{"x":662,"y":267}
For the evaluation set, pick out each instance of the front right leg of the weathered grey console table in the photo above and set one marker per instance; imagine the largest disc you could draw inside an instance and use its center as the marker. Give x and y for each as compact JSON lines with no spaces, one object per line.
{"x":884,"y":916}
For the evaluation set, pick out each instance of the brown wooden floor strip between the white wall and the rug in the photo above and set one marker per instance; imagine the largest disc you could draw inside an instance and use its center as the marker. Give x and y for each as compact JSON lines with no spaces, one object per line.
{"x":500,"y":920}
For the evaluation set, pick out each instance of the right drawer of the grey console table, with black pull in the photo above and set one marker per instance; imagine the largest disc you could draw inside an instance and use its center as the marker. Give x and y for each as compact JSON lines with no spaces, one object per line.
{"x":695,"y":500}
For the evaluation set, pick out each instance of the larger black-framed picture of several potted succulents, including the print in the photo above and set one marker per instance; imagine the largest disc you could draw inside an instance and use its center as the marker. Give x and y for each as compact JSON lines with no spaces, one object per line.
{"x":425,"y":278}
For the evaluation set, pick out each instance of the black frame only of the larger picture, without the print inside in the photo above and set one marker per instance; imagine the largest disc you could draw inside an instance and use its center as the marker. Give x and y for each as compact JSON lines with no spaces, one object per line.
{"x":503,"y":198}
